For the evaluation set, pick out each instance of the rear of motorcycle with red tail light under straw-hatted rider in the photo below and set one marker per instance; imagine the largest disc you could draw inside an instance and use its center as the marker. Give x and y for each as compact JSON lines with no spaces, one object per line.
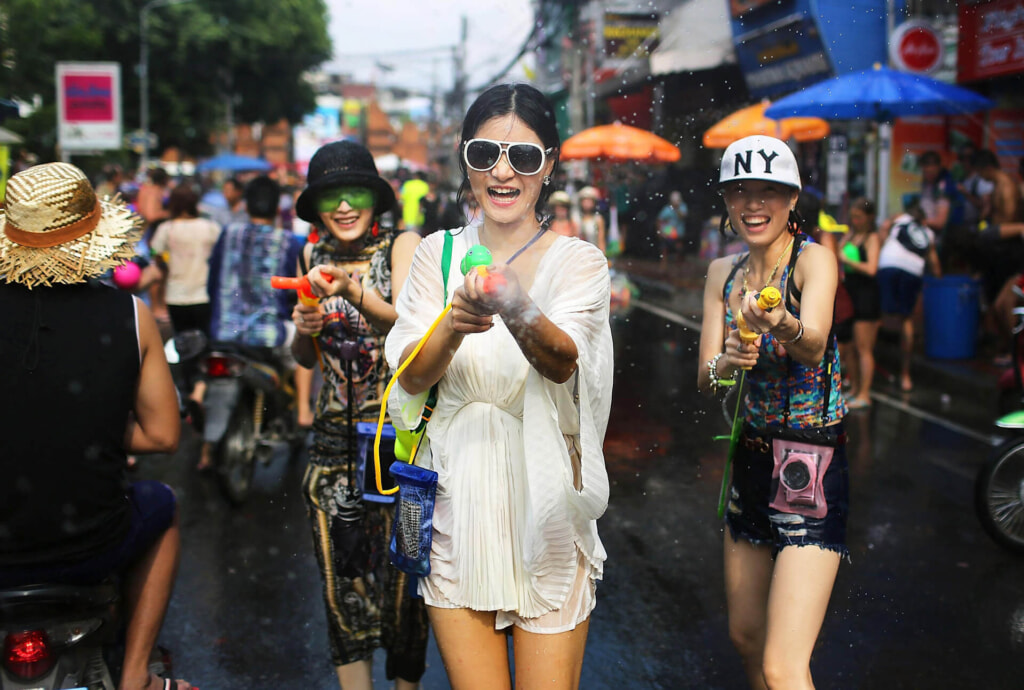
{"x":55,"y":636}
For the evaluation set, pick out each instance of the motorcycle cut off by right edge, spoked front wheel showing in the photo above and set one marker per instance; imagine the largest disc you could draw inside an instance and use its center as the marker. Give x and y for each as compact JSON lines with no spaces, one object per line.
{"x":999,"y":491}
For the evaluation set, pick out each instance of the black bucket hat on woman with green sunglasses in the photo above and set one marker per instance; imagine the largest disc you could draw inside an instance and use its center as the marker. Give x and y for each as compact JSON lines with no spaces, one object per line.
{"x":343,"y":164}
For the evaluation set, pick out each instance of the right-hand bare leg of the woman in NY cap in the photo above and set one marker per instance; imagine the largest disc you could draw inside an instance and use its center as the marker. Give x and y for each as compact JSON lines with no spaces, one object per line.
{"x":801,"y":587}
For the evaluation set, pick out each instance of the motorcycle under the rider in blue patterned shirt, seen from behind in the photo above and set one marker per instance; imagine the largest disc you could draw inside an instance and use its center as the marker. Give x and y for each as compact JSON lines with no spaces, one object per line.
{"x":250,"y":412}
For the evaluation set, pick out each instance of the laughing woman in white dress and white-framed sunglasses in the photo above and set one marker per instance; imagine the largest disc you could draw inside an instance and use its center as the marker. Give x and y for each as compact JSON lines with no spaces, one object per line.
{"x":525,"y":369}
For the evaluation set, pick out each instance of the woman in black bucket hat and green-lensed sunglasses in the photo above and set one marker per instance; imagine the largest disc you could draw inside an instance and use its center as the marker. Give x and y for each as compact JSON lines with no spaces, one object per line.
{"x":368,"y":601}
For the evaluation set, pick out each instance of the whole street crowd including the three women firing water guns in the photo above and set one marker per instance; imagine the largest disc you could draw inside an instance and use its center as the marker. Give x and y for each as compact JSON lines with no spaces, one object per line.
{"x":507,"y":387}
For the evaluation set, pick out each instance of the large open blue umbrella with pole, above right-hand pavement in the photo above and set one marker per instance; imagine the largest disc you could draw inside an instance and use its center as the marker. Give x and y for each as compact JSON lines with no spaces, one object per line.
{"x":879,"y":96}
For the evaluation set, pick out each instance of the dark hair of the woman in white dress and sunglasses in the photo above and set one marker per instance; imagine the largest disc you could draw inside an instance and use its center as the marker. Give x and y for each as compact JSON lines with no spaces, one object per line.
{"x":529,"y":106}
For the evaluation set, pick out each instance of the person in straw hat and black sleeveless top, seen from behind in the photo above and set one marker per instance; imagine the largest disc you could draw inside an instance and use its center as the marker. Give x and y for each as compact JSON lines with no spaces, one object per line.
{"x":87,"y":361}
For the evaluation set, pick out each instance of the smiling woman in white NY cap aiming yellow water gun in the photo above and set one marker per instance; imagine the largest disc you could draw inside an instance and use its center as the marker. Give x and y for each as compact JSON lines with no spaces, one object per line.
{"x":781,"y":557}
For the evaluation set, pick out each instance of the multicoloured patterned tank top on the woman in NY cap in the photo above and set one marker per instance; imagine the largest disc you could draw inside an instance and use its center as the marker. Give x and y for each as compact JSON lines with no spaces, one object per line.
{"x":766,"y":383}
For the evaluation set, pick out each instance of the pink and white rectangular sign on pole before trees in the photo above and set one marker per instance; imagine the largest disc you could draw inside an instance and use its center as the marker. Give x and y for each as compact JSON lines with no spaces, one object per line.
{"x":89,"y":106}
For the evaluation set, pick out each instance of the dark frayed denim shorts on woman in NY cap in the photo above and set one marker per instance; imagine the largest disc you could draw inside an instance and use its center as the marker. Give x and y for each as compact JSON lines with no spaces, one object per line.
{"x":750,"y":517}
